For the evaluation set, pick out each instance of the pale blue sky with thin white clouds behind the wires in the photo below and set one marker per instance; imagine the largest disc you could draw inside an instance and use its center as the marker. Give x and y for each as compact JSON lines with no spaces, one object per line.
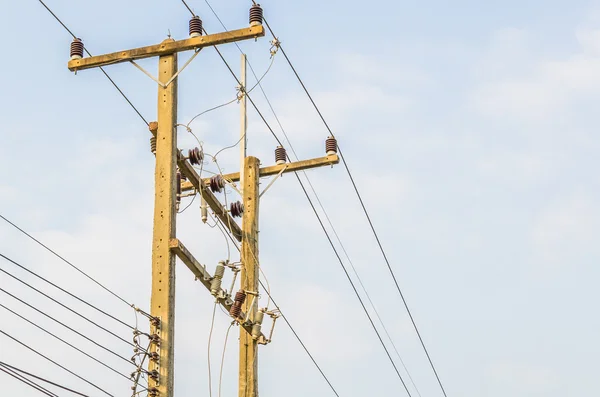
{"x":468,"y":126}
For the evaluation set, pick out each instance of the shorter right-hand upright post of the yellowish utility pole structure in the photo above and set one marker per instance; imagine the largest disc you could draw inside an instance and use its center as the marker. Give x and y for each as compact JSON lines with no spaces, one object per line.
{"x":248,"y":346}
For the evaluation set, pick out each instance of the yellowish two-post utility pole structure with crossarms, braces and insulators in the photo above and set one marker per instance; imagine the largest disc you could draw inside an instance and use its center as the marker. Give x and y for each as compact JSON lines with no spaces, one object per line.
{"x":171,"y":165}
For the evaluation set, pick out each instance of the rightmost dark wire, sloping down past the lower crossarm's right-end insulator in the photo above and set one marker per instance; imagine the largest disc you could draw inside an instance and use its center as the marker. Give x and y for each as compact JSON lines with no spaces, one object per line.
{"x":366,"y":214}
